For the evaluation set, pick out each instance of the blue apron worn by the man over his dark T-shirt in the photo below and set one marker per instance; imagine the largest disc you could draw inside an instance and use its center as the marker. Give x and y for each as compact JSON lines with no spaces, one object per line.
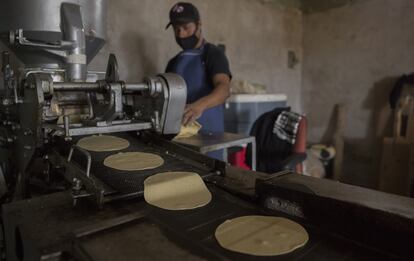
{"x":190,"y":65}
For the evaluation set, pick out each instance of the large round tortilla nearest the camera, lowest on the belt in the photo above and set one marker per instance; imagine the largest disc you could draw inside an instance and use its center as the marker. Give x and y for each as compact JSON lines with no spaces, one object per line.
{"x":261,"y":235}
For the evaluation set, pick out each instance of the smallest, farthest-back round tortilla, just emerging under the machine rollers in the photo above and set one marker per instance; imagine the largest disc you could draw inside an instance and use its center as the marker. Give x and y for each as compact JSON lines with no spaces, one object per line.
{"x":103,"y":143}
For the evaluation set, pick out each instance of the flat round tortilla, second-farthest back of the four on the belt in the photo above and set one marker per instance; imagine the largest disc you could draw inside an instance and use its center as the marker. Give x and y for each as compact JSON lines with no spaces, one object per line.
{"x":131,"y":161}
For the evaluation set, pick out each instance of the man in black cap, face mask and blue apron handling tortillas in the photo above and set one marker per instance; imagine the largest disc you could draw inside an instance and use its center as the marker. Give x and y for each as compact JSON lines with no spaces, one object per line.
{"x":205,"y":69}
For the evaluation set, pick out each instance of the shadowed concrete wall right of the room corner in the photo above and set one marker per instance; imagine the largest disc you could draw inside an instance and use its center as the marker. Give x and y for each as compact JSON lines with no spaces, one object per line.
{"x":353,"y":55}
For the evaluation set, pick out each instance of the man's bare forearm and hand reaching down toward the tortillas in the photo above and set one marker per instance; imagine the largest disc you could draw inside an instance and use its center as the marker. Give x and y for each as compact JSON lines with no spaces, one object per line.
{"x":218,"y":96}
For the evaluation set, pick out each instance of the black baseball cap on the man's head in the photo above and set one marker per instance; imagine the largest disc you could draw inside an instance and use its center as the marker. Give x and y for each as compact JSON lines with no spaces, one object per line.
{"x":182,"y":13}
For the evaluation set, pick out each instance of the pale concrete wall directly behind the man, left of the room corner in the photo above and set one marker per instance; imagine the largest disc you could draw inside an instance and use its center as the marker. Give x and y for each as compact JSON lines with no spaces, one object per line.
{"x":257,"y":38}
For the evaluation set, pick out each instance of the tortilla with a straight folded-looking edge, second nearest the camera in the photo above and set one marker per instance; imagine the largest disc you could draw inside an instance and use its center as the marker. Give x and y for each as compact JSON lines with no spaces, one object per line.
{"x":176,"y":191}
